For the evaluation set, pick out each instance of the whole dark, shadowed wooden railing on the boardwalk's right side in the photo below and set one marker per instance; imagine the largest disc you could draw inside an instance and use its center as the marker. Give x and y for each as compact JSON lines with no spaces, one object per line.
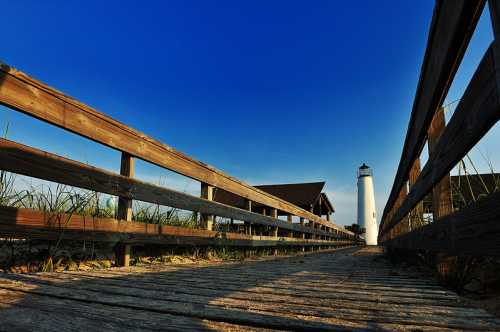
{"x":475,"y":228}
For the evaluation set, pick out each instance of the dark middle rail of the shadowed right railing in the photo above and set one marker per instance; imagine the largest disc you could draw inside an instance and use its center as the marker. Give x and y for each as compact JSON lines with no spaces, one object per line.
{"x":476,"y":113}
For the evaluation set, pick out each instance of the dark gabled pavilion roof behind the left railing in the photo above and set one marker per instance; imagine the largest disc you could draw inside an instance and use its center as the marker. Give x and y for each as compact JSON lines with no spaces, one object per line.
{"x":301,"y":194}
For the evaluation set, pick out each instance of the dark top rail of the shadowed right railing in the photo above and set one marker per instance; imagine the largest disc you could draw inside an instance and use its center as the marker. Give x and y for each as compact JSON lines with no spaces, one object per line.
{"x":452,"y":26}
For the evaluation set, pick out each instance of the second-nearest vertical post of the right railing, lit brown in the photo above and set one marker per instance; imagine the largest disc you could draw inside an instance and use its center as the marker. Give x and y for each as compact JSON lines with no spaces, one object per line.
{"x":442,"y":203}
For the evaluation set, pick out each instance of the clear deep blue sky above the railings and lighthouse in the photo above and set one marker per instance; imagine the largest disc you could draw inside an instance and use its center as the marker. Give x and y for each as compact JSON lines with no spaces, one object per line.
{"x":268,"y":91}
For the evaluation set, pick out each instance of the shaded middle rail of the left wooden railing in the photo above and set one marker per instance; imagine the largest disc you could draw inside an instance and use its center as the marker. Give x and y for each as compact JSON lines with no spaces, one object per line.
{"x":29,"y":161}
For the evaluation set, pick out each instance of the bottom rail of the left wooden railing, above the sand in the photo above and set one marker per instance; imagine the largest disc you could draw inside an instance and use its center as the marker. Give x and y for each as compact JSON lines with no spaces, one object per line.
{"x":39,"y":225}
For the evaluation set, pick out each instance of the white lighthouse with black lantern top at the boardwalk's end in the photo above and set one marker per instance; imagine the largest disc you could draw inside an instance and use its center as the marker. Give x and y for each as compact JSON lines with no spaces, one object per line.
{"x":367,"y":217}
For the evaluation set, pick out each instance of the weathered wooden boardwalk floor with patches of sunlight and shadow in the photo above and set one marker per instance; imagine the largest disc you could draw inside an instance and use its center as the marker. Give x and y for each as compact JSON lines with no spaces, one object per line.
{"x":350,"y":289}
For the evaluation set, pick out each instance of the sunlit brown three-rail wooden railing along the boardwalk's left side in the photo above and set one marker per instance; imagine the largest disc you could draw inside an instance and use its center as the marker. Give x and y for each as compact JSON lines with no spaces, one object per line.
{"x":29,"y":96}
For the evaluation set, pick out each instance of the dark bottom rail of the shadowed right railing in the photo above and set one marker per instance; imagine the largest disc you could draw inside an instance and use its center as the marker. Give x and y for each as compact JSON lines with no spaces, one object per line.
{"x":471,"y":231}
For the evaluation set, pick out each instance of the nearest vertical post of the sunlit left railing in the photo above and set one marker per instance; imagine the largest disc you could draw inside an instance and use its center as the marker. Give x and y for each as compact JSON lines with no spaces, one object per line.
{"x":122,"y":251}
